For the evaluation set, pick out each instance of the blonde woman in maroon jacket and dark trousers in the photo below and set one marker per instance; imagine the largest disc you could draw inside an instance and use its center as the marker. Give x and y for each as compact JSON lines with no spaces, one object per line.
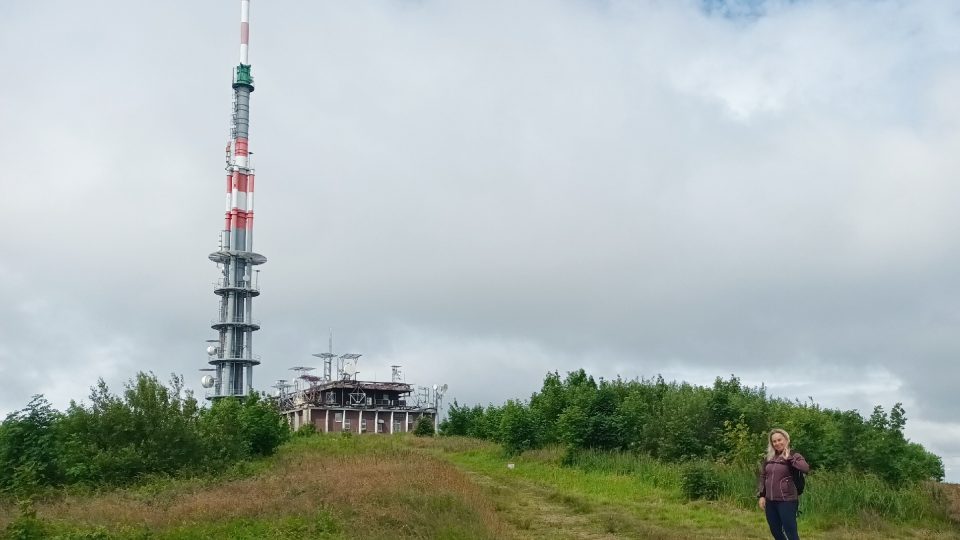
{"x":776,"y":489}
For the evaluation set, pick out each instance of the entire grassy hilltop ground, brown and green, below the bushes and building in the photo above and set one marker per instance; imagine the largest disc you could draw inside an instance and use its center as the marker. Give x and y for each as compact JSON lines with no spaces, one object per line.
{"x":400,"y":486}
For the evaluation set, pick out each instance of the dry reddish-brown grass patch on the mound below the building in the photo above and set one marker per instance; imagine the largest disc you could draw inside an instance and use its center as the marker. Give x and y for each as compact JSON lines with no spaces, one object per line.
{"x":378,"y":486}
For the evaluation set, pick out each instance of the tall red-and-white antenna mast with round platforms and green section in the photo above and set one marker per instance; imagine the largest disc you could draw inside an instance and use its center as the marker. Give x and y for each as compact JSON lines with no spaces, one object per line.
{"x":233,"y":358}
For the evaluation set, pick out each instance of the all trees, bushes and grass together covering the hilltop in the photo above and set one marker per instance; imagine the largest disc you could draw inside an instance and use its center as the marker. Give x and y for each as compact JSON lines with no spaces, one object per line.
{"x":609,"y":460}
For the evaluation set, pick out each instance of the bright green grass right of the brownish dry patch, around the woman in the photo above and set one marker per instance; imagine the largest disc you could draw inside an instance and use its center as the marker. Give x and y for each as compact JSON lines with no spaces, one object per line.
{"x":622,"y":486}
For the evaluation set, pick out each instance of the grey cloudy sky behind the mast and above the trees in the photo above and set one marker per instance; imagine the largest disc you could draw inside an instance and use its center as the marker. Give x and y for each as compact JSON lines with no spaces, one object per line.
{"x":486,"y":191}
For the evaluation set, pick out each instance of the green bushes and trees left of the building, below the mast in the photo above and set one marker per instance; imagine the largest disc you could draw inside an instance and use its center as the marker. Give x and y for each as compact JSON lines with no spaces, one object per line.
{"x":149,"y":429}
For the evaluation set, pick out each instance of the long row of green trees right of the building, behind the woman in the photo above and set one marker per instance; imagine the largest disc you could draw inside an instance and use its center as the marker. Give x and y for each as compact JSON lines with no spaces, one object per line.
{"x":678,"y":422}
